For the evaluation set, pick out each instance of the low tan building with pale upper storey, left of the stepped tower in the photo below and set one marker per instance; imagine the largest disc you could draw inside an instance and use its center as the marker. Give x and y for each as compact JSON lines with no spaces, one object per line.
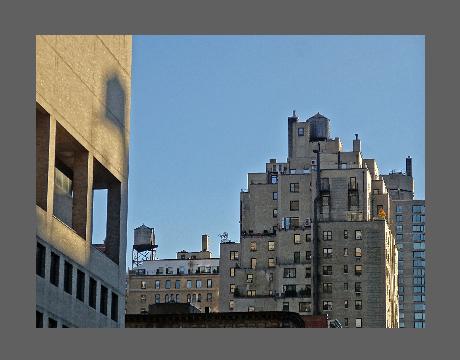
{"x":193,"y":277}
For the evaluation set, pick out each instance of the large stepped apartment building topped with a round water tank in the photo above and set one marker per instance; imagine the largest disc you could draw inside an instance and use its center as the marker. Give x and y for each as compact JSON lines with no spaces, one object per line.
{"x":315,"y":235}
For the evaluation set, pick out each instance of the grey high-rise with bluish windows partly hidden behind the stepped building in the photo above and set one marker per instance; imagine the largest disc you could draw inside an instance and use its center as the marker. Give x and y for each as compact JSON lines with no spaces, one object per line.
{"x":408,"y":219}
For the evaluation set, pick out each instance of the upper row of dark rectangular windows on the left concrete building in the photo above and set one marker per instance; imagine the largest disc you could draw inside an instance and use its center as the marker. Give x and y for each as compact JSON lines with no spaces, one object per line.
{"x":80,"y":286}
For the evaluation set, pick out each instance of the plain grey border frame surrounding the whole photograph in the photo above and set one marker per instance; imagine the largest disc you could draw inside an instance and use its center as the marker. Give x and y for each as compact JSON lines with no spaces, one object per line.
{"x":438,"y":21}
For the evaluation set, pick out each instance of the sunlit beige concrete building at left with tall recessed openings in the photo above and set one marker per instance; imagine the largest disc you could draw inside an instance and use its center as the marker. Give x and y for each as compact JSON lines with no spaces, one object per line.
{"x":83,"y":88}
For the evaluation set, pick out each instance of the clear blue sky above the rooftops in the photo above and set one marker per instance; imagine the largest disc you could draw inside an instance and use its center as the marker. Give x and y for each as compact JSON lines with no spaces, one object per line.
{"x":206,"y":110}
